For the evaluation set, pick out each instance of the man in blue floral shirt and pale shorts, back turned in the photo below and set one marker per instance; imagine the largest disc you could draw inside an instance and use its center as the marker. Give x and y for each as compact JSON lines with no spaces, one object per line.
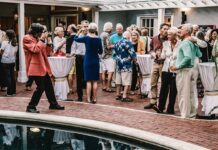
{"x":124,"y":54}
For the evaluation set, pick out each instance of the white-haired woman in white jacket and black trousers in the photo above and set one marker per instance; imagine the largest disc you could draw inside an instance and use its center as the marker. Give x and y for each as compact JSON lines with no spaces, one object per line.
{"x":168,"y":78}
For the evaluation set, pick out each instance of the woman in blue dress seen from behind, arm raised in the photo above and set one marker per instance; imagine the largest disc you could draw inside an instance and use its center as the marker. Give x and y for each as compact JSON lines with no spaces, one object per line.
{"x":91,"y":61}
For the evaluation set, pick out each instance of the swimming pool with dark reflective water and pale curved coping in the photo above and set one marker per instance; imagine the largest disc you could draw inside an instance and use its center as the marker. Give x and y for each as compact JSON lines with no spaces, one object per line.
{"x":26,"y":131}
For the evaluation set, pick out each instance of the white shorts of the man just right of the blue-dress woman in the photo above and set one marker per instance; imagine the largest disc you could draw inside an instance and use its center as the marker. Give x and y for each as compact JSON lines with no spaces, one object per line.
{"x":108,"y":65}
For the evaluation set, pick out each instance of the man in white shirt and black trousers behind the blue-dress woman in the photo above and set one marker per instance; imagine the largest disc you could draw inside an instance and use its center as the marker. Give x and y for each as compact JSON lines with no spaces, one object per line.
{"x":79,"y":49}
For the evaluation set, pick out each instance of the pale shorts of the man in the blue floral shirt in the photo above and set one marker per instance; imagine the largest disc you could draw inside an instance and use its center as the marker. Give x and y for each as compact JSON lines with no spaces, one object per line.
{"x":124,"y":78}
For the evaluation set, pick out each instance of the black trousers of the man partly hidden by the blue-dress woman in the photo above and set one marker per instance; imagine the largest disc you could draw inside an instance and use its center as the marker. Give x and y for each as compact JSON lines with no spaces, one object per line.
{"x":80,"y":83}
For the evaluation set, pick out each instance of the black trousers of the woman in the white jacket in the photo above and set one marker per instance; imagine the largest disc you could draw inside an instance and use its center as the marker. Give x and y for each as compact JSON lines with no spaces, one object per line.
{"x":168,"y":86}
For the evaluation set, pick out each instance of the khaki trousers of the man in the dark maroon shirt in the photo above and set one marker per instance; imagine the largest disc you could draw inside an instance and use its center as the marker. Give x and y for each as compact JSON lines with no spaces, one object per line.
{"x":156,"y":73}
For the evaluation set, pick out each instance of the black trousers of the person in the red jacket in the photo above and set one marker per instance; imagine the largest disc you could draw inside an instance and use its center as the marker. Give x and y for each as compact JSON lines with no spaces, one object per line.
{"x":43,"y":83}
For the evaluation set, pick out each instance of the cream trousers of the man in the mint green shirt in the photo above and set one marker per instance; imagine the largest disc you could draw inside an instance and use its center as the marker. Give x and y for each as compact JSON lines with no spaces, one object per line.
{"x":185,"y":86}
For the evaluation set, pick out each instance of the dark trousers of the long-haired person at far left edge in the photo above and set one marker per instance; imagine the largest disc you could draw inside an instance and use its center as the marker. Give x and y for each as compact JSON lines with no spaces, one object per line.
{"x":9,"y":78}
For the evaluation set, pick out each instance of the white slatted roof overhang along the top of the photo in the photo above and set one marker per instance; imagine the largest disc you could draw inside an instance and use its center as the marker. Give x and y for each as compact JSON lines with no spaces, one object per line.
{"x":122,"y":5}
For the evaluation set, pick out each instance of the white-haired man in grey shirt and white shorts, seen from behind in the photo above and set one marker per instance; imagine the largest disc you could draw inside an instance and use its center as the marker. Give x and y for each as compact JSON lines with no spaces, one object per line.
{"x":108,"y":64}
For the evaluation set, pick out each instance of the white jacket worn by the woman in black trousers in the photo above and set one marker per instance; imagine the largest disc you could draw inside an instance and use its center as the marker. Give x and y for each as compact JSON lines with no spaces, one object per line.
{"x":169,"y":54}
